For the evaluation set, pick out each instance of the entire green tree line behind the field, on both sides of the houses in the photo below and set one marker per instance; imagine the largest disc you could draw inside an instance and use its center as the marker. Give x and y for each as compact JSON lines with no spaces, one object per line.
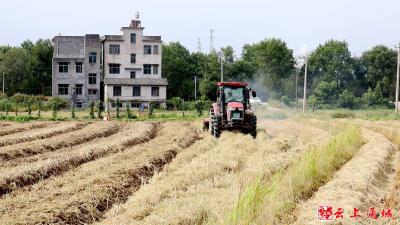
{"x":335,"y":77}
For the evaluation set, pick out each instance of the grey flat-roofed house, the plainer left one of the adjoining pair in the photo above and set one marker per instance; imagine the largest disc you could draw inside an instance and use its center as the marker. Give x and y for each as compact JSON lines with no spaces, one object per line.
{"x":76,"y":68}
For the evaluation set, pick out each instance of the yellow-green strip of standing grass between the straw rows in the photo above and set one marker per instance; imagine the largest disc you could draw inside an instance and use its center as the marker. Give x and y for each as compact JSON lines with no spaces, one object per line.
{"x":273,"y":201}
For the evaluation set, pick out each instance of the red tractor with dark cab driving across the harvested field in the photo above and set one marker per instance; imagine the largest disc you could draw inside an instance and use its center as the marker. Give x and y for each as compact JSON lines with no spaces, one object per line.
{"x":232,"y":111}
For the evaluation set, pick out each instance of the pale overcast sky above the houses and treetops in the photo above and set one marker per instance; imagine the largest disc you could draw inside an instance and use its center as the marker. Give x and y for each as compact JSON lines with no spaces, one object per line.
{"x":362,"y":23}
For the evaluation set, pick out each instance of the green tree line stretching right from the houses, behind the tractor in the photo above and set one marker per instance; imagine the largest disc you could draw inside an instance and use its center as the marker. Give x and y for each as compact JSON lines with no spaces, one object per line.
{"x":335,"y":77}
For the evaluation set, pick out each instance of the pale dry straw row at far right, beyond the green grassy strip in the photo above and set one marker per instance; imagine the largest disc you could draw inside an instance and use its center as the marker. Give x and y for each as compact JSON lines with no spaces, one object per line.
{"x":361,"y":183}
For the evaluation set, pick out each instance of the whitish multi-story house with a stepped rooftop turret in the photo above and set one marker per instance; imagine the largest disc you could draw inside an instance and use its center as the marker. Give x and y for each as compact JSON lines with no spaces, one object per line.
{"x":132,"y":67}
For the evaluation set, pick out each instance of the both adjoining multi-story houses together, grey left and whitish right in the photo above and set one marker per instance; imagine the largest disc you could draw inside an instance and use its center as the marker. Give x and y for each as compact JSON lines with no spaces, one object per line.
{"x":125,"y":67}
